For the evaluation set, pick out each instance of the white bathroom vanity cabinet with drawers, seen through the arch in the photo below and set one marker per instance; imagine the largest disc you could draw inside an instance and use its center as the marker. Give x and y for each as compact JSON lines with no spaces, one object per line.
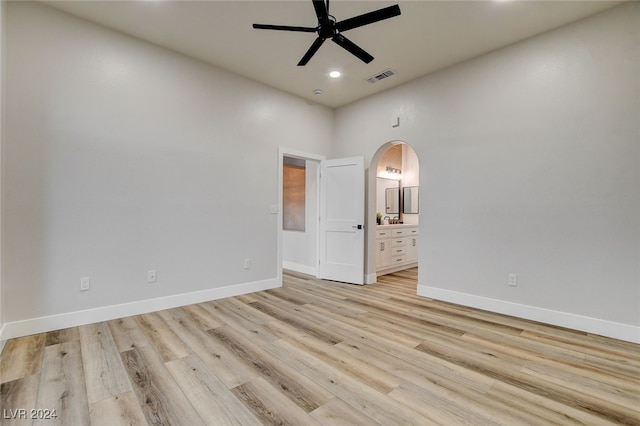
{"x":396,"y":248}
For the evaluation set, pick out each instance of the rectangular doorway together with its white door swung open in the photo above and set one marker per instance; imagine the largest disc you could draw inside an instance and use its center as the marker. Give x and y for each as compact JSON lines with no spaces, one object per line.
{"x":334,"y":248}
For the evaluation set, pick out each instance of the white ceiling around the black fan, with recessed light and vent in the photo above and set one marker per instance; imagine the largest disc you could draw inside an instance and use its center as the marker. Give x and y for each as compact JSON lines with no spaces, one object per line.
{"x":426,"y":37}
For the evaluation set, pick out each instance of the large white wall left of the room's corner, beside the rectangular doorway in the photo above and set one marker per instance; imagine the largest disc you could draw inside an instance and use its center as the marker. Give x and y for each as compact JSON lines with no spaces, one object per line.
{"x":121,"y":157}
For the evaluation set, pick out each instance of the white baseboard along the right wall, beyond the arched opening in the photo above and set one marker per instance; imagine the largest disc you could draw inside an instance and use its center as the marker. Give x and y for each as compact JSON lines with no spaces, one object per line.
{"x":601,"y":327}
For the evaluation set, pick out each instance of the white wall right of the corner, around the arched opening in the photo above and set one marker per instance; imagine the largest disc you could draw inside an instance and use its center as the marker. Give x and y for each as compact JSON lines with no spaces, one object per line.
{"x":529,"y":164}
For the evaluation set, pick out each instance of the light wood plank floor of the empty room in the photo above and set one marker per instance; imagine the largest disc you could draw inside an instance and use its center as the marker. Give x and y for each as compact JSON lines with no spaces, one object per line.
{"x":317,"y":352}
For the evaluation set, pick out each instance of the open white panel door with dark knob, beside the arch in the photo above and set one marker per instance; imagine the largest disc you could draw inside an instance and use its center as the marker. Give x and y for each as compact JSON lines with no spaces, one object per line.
{"x":341,"y":220}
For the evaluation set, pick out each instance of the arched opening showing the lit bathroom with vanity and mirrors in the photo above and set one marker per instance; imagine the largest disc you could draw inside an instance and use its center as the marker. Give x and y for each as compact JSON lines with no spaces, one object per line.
{"x":393,"y":210}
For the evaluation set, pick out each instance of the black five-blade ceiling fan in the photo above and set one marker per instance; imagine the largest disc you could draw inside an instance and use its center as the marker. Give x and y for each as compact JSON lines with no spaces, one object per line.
{"x":328,"y":27}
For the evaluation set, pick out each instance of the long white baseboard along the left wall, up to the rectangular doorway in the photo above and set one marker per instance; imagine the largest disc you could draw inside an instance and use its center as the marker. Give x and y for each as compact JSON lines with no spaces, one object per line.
{"x":106,"y":313}
